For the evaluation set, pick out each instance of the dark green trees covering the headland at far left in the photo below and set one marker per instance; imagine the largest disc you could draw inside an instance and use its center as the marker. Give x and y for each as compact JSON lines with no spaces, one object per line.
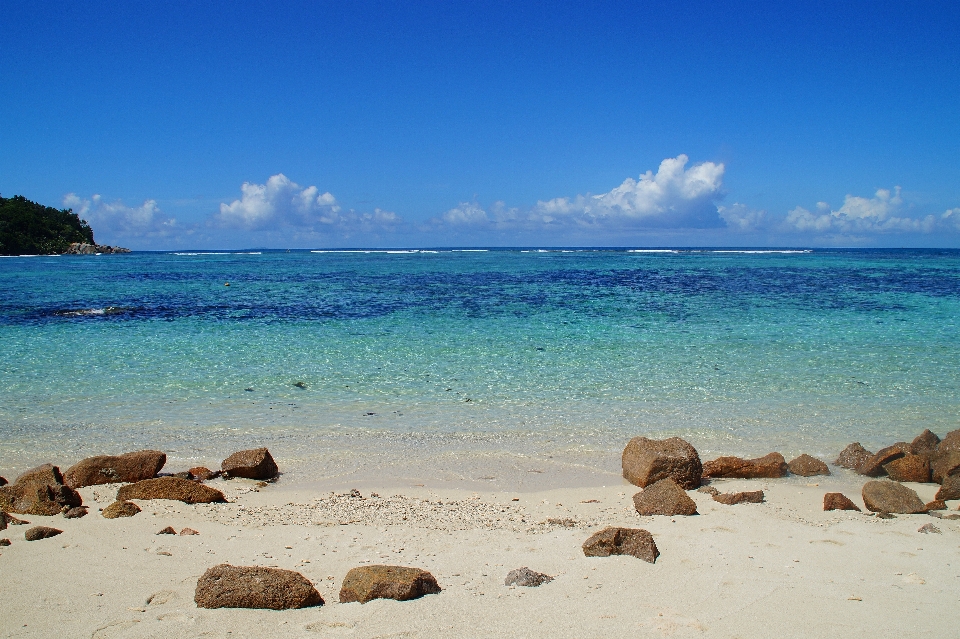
{"x":28,"y":228}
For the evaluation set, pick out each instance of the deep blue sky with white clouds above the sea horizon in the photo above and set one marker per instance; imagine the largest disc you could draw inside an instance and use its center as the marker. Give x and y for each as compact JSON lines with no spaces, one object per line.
{"x":238,"y":125}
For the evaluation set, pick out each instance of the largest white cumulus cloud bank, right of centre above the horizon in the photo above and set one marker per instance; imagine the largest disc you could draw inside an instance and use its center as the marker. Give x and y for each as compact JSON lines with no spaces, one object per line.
{"x":673,"y":197}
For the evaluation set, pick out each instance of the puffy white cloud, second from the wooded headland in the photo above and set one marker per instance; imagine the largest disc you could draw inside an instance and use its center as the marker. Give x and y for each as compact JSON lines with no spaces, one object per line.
{"x":282,"y":203}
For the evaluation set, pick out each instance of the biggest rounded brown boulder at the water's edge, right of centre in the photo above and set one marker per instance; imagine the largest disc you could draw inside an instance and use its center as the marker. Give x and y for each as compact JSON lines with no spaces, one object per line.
{"x":647,"y":461}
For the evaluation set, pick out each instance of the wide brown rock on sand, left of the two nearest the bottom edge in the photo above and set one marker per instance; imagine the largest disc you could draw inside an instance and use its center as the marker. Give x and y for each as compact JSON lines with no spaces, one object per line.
{"x":227,"y":586}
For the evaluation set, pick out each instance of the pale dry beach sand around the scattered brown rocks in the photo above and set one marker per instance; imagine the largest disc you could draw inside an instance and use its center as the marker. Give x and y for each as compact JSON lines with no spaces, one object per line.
{"x":782,"y":568}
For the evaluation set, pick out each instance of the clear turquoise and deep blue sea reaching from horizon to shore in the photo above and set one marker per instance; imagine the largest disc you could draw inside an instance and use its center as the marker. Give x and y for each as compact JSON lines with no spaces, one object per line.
{"x":473,"y":364}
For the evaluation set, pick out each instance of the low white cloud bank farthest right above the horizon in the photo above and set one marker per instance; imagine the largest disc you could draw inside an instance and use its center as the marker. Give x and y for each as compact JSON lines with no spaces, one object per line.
{"x":883,"y":213}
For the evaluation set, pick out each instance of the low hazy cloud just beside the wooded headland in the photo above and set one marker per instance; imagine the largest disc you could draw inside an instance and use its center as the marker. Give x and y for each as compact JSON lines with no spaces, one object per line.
{"x":117,"y":219}
